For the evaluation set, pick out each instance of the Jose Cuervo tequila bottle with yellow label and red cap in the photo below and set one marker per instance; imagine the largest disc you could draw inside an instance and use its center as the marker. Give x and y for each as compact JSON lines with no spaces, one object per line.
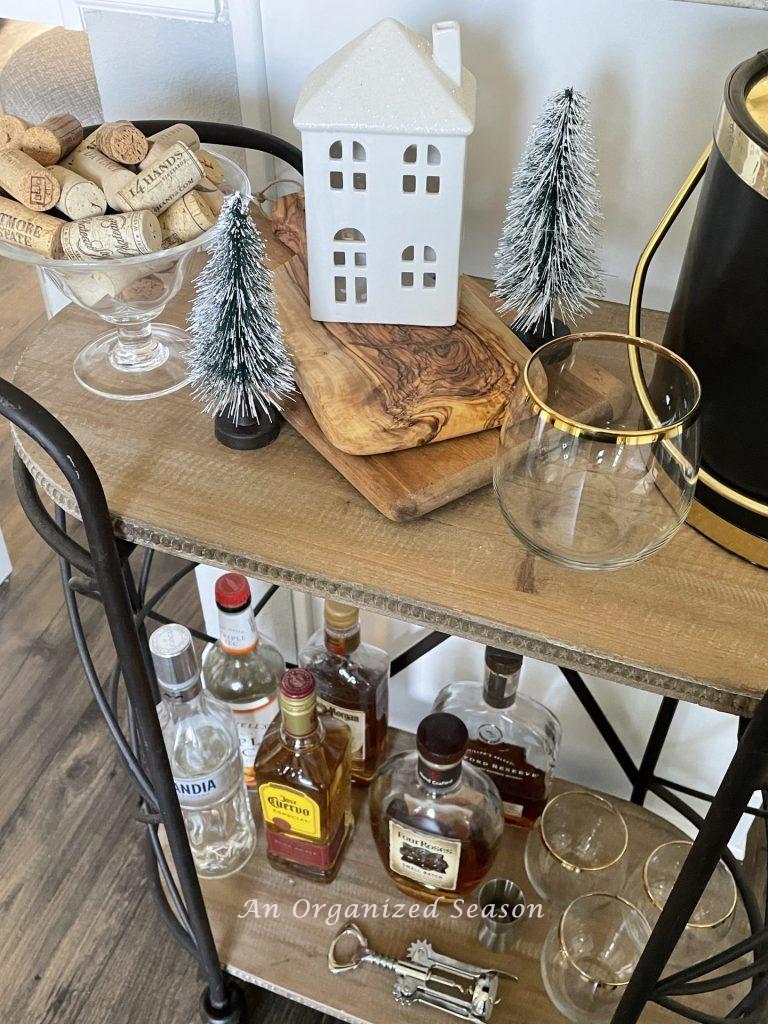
{"x":304,"y":778}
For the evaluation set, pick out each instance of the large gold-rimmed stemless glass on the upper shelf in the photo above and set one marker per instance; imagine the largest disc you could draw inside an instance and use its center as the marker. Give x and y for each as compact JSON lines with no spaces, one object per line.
{"x":600,"y":452}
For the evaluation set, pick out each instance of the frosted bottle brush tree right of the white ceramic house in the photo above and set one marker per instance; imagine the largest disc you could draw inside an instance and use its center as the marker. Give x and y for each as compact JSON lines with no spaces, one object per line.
{"x":546,"y":264}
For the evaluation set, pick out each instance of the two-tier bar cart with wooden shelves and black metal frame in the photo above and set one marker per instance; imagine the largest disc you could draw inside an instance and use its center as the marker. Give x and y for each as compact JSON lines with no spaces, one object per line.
{"x":688,"y":625}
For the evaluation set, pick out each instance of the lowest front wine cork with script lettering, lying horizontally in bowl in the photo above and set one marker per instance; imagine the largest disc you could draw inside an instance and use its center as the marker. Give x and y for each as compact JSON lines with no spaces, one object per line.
{"x":112,"y":237}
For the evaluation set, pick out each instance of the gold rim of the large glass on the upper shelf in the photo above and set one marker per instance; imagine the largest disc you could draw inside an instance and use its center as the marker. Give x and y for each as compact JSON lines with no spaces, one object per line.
{"x":579,"y":430}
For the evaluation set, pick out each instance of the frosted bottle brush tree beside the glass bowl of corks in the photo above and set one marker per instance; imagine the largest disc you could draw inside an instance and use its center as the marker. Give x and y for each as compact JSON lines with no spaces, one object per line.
{"x":240,"y":368}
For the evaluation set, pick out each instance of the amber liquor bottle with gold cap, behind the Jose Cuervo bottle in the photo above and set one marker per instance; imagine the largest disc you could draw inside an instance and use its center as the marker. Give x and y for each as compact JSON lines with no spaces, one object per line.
{"x":353,"y":685}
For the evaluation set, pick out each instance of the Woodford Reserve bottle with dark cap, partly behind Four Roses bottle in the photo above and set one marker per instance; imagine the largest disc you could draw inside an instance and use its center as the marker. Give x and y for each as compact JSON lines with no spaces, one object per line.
{"x":513,"y":738}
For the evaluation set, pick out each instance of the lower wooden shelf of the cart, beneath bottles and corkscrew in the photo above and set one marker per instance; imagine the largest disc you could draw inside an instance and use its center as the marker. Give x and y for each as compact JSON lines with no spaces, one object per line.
{"x":274,"y":930}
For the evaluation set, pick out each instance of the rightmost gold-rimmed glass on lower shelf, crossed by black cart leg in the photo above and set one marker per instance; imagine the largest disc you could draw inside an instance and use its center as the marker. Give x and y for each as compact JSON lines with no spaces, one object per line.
{"x":707,"y":932}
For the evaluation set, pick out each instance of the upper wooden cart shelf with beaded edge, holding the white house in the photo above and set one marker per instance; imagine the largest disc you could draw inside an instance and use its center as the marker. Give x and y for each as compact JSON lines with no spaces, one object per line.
{"x":690,"y":623}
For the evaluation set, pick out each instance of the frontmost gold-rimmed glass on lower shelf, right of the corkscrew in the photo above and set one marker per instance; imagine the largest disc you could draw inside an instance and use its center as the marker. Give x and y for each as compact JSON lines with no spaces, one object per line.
{"x":589,"y":956}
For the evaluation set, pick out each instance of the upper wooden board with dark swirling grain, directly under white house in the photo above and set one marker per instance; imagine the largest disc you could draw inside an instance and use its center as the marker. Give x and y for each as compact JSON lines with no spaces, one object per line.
{"x":376,"y":389}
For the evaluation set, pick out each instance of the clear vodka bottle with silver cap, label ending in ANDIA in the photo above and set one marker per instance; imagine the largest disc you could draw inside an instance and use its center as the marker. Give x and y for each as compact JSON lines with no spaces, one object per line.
{"x":204,"y":752}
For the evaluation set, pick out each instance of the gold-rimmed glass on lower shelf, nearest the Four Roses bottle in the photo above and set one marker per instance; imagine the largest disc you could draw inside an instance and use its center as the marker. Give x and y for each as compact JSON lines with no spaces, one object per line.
{"x":578,"y":846}
